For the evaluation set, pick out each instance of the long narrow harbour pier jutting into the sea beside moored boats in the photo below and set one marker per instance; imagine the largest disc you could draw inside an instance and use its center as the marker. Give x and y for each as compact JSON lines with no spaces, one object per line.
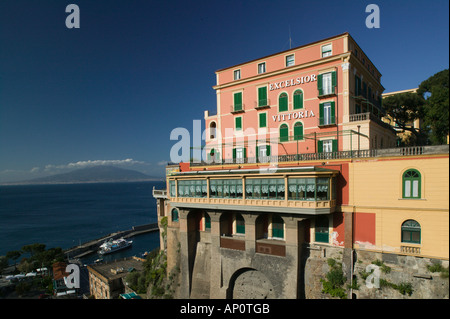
{"x":92,"y":246}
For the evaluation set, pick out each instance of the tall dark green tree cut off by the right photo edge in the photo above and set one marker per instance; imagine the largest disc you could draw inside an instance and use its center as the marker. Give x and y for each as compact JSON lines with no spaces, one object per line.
{"x":435,"y":91}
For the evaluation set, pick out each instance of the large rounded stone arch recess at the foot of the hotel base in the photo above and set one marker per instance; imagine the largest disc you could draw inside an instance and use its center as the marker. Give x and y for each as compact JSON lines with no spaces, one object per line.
{"x":248,"y":283}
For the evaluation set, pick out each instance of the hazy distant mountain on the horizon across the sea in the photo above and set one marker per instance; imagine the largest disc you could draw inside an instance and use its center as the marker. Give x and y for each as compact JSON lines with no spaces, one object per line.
{"x":95,"y":174}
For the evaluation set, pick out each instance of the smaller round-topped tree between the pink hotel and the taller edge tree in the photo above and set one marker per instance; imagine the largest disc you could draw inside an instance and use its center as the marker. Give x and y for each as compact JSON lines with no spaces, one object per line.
{"x":404,"y":109}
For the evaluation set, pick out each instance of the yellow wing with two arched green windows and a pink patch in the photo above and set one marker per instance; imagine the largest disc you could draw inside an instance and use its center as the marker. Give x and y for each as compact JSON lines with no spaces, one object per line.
{"x":400,"y":203}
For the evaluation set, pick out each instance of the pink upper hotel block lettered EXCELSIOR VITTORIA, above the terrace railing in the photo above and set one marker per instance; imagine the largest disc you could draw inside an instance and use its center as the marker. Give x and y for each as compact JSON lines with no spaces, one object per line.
{"x":320,"y":97}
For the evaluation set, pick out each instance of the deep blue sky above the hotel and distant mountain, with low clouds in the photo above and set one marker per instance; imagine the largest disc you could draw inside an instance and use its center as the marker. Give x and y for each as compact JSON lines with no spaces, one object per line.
{"x":111,"y":91}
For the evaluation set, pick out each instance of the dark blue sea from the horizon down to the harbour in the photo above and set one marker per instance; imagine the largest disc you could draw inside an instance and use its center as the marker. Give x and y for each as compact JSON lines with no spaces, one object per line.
{"x":67,"y":215}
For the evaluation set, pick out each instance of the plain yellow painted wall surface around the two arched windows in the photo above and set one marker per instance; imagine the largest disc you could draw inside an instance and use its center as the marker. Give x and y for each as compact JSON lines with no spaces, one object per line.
{"x":375,"y":186}
